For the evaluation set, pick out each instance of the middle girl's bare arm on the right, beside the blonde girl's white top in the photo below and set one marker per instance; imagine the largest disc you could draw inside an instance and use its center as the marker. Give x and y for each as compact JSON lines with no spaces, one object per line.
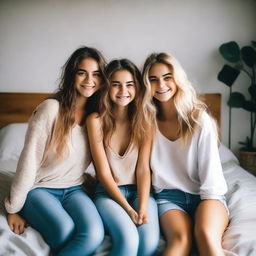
{"x":143,"y":176}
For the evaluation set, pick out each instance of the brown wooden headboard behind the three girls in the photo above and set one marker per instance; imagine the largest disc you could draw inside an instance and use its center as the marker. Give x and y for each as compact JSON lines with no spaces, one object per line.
{"x":17,"y":107}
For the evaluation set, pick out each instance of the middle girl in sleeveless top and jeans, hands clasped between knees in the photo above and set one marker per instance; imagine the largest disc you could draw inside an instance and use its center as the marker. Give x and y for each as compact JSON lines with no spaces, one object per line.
{"x":120,"y":149}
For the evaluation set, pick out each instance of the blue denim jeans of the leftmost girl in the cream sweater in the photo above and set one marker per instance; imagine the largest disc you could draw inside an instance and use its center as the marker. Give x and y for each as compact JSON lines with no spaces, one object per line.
{"x":66,"y":218}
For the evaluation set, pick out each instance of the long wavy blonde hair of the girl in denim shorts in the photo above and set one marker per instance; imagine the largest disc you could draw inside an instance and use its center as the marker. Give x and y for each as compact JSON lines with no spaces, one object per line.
{"x":189,"y":107}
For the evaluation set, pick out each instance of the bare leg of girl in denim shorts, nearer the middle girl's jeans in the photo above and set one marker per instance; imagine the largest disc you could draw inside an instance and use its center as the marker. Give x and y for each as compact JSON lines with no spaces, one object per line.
{"x":177,"y":229}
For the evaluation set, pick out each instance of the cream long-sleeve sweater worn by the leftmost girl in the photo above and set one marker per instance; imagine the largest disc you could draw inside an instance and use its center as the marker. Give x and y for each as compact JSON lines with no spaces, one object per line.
{"x":33,"y":172}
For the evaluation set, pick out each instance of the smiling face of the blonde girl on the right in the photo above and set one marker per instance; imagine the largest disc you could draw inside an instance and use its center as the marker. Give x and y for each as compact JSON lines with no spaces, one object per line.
{"x":163,"y":86}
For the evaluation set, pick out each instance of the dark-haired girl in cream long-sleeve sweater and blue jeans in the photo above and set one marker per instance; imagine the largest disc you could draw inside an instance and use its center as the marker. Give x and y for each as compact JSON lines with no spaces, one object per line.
{"x":46,"y":190}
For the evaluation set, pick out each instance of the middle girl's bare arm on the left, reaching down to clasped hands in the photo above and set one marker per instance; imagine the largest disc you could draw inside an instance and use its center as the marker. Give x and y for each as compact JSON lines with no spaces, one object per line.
{"x":94,"y":129}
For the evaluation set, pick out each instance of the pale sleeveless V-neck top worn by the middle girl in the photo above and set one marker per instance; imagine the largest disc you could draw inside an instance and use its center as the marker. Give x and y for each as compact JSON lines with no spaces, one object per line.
{"x":123,"y":167}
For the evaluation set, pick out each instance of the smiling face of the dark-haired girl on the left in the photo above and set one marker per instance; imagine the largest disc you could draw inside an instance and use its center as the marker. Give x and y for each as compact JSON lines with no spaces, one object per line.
{"x":88,"y":77}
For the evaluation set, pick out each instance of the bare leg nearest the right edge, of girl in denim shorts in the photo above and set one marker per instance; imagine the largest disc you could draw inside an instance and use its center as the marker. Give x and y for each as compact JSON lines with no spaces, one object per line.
{"x":210,"y":223}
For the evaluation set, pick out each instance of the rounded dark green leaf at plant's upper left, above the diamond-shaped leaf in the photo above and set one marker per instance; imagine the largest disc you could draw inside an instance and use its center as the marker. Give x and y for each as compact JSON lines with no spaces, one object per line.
{"x":230,"y":51}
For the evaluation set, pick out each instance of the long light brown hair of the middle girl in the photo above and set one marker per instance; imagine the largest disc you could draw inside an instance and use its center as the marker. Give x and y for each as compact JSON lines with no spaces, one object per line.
{"x":136,"y":117}
